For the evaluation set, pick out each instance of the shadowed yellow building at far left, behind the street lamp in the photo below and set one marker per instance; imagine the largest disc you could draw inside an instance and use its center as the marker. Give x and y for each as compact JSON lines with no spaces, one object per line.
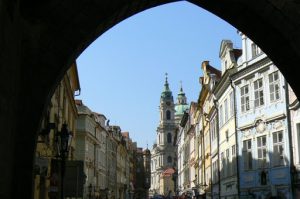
{"x":61,"y":110}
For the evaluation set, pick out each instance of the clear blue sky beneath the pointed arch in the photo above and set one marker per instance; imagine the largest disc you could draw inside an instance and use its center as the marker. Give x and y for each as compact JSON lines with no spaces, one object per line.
{"x":122,"y":72}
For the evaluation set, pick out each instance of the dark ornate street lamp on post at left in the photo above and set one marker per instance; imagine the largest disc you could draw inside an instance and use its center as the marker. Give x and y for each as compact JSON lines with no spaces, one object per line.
{"x":63,"y":141}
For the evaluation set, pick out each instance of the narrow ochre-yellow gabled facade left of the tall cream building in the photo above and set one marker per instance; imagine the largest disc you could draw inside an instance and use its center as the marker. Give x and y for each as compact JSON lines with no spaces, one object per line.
{"x":210,"y":78}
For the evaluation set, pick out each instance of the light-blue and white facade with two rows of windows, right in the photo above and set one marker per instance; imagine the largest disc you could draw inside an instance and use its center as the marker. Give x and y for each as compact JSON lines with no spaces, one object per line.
{"x":264,"y":163}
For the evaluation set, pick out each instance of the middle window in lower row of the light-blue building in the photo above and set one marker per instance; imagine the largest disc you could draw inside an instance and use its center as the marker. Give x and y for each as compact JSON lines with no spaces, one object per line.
{"x":262,"y":151}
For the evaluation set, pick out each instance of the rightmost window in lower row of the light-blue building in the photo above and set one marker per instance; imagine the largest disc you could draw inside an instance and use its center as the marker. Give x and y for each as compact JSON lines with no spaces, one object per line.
{"x":278,"y":153}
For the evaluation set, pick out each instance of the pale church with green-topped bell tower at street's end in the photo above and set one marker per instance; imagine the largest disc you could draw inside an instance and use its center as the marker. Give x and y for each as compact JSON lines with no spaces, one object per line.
{"x":163,"y":154}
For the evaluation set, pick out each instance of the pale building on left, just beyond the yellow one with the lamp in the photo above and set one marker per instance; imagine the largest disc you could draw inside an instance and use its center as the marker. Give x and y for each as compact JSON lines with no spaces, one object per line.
{"x":91,"y":147}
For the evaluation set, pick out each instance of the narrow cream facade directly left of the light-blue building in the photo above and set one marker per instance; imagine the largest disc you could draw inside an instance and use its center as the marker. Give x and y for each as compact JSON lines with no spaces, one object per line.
{"x":226,"y":126}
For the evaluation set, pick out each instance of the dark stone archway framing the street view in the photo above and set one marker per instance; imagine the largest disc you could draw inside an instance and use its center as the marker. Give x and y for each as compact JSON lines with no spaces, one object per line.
{"x":40,"y":39}
